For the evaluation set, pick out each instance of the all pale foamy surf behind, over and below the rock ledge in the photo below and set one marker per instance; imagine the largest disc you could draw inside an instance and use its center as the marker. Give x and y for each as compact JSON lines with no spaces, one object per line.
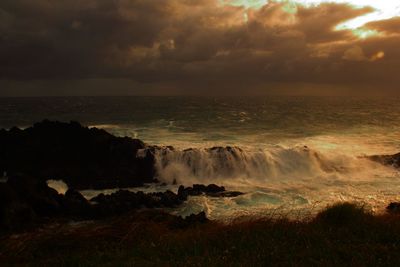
{"x":280,"y":174}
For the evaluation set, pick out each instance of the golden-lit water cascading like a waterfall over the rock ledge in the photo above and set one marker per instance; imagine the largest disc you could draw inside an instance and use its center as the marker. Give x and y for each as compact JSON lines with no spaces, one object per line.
{"x":234,"y":163}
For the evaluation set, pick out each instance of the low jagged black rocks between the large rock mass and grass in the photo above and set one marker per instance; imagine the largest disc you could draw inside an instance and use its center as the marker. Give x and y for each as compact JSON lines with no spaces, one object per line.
{"x":25,"y":201}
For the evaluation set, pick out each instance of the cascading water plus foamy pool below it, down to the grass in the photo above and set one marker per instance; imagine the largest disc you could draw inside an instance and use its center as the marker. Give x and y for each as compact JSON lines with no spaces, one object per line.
{"x":297,"y":181}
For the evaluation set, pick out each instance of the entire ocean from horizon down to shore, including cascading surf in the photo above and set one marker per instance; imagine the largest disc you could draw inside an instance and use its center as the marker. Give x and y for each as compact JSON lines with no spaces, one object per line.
{"x":292,"y":156}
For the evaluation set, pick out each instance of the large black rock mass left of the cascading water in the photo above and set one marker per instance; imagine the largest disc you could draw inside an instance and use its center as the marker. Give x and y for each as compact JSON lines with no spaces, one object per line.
{"x":82,"y":157}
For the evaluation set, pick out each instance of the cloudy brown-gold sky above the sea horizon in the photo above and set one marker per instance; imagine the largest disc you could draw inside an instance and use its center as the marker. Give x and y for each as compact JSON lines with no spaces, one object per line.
{"x":206,"y":47}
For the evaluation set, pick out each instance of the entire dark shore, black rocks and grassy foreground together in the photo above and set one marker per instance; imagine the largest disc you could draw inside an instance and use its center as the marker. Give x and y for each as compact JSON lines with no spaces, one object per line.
{"x":40,"y":227}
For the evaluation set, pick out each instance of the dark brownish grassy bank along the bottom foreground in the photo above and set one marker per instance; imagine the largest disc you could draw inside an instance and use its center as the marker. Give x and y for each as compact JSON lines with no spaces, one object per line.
{"x":342,"y":235}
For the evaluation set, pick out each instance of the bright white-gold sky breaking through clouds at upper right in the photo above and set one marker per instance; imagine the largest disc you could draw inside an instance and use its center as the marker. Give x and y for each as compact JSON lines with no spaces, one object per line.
{"x":382,"y":9}
